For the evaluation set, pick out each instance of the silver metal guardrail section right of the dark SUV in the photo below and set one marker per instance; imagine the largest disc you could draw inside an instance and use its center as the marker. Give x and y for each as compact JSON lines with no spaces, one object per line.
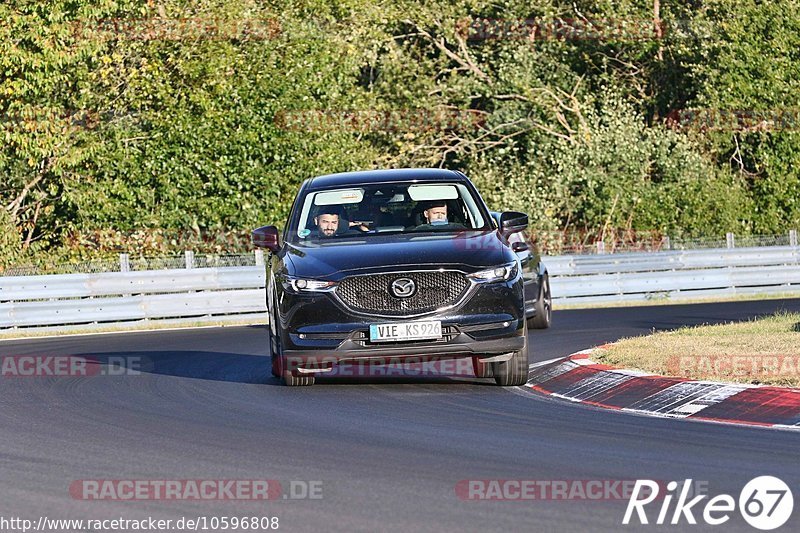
{"x":674,"y":275}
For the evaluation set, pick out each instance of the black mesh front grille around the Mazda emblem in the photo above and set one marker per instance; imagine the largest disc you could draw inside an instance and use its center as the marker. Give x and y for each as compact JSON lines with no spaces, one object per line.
{"x":370,"y":293}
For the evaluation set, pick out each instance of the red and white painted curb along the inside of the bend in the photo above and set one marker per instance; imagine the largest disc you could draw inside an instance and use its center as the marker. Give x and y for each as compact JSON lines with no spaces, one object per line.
{"x":579,"y":379}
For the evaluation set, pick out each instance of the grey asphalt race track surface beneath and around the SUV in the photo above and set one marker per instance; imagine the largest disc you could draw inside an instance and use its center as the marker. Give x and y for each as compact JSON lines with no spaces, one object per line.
{"x":388,"y":451}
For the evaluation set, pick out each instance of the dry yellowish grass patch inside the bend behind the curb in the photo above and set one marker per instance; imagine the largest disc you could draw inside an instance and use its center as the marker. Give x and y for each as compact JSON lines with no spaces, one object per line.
{"x":760,"y":351}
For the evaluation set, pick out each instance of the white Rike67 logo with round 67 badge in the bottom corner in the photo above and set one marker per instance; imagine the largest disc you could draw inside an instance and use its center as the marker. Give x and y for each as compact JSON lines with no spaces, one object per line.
{"x":765,"y":503}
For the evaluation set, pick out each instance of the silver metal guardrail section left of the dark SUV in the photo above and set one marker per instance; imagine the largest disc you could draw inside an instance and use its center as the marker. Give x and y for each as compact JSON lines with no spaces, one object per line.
{"x":71,"y":299}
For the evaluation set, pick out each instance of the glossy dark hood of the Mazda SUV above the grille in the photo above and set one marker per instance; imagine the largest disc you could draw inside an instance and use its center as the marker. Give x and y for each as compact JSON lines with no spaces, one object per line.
{"x":468,"y":250}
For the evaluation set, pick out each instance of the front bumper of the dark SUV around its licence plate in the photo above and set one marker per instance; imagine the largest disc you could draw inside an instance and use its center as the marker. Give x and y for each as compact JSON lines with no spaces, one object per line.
{"x":317,"y":332}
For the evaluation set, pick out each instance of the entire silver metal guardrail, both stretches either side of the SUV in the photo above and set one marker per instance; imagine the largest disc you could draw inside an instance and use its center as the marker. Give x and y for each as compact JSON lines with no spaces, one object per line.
{"x":203,"y":293}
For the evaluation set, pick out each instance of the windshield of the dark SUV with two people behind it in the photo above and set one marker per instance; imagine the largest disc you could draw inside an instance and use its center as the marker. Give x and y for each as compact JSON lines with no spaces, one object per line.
{"x":366,"y":210}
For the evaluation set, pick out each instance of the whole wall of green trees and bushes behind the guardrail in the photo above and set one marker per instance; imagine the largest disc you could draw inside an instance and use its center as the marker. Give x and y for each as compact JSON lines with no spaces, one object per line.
{"x":137,"y":115}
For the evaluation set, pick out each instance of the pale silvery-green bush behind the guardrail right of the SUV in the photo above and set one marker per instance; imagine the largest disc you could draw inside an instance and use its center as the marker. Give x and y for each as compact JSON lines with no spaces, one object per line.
{"x":619,"y":174}
